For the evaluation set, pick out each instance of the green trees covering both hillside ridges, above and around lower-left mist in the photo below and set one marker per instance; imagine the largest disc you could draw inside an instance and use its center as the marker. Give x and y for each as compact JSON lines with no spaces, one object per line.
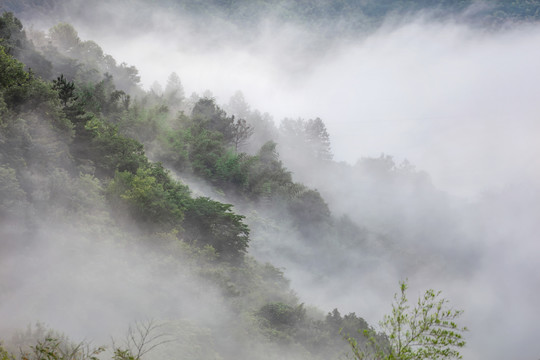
{"x":73,"y":161}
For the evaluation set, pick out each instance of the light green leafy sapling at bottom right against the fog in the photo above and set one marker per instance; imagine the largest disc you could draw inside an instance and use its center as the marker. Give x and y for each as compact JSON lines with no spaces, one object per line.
{"x":426,"y":331}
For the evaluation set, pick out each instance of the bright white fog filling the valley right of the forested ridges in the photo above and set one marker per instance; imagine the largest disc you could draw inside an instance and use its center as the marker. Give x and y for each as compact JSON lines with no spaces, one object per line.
{"x":458,"y":102}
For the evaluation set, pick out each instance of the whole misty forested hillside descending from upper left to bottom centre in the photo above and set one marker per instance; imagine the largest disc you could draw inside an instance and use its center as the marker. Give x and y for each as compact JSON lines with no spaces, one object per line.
{"x":79,"y":195}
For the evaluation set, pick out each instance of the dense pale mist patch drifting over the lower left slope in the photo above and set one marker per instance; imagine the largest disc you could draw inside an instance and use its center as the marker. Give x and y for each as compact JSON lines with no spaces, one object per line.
{"x":95,"y":288}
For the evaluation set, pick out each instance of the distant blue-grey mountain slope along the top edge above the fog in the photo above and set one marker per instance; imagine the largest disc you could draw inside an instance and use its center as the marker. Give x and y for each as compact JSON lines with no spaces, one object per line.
{"x":348,"y":16}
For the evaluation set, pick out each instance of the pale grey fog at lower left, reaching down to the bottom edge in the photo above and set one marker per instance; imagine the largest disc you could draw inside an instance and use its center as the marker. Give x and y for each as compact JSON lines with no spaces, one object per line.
{"x":106,"y":289}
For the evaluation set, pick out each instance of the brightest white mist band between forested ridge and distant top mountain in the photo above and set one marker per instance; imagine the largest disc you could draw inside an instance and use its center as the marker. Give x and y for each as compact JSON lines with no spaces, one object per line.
{"x":455,"y":101}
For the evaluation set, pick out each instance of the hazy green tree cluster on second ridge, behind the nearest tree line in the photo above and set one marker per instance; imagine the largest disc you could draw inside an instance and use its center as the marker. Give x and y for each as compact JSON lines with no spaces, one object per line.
{"x":205,"y":143}
